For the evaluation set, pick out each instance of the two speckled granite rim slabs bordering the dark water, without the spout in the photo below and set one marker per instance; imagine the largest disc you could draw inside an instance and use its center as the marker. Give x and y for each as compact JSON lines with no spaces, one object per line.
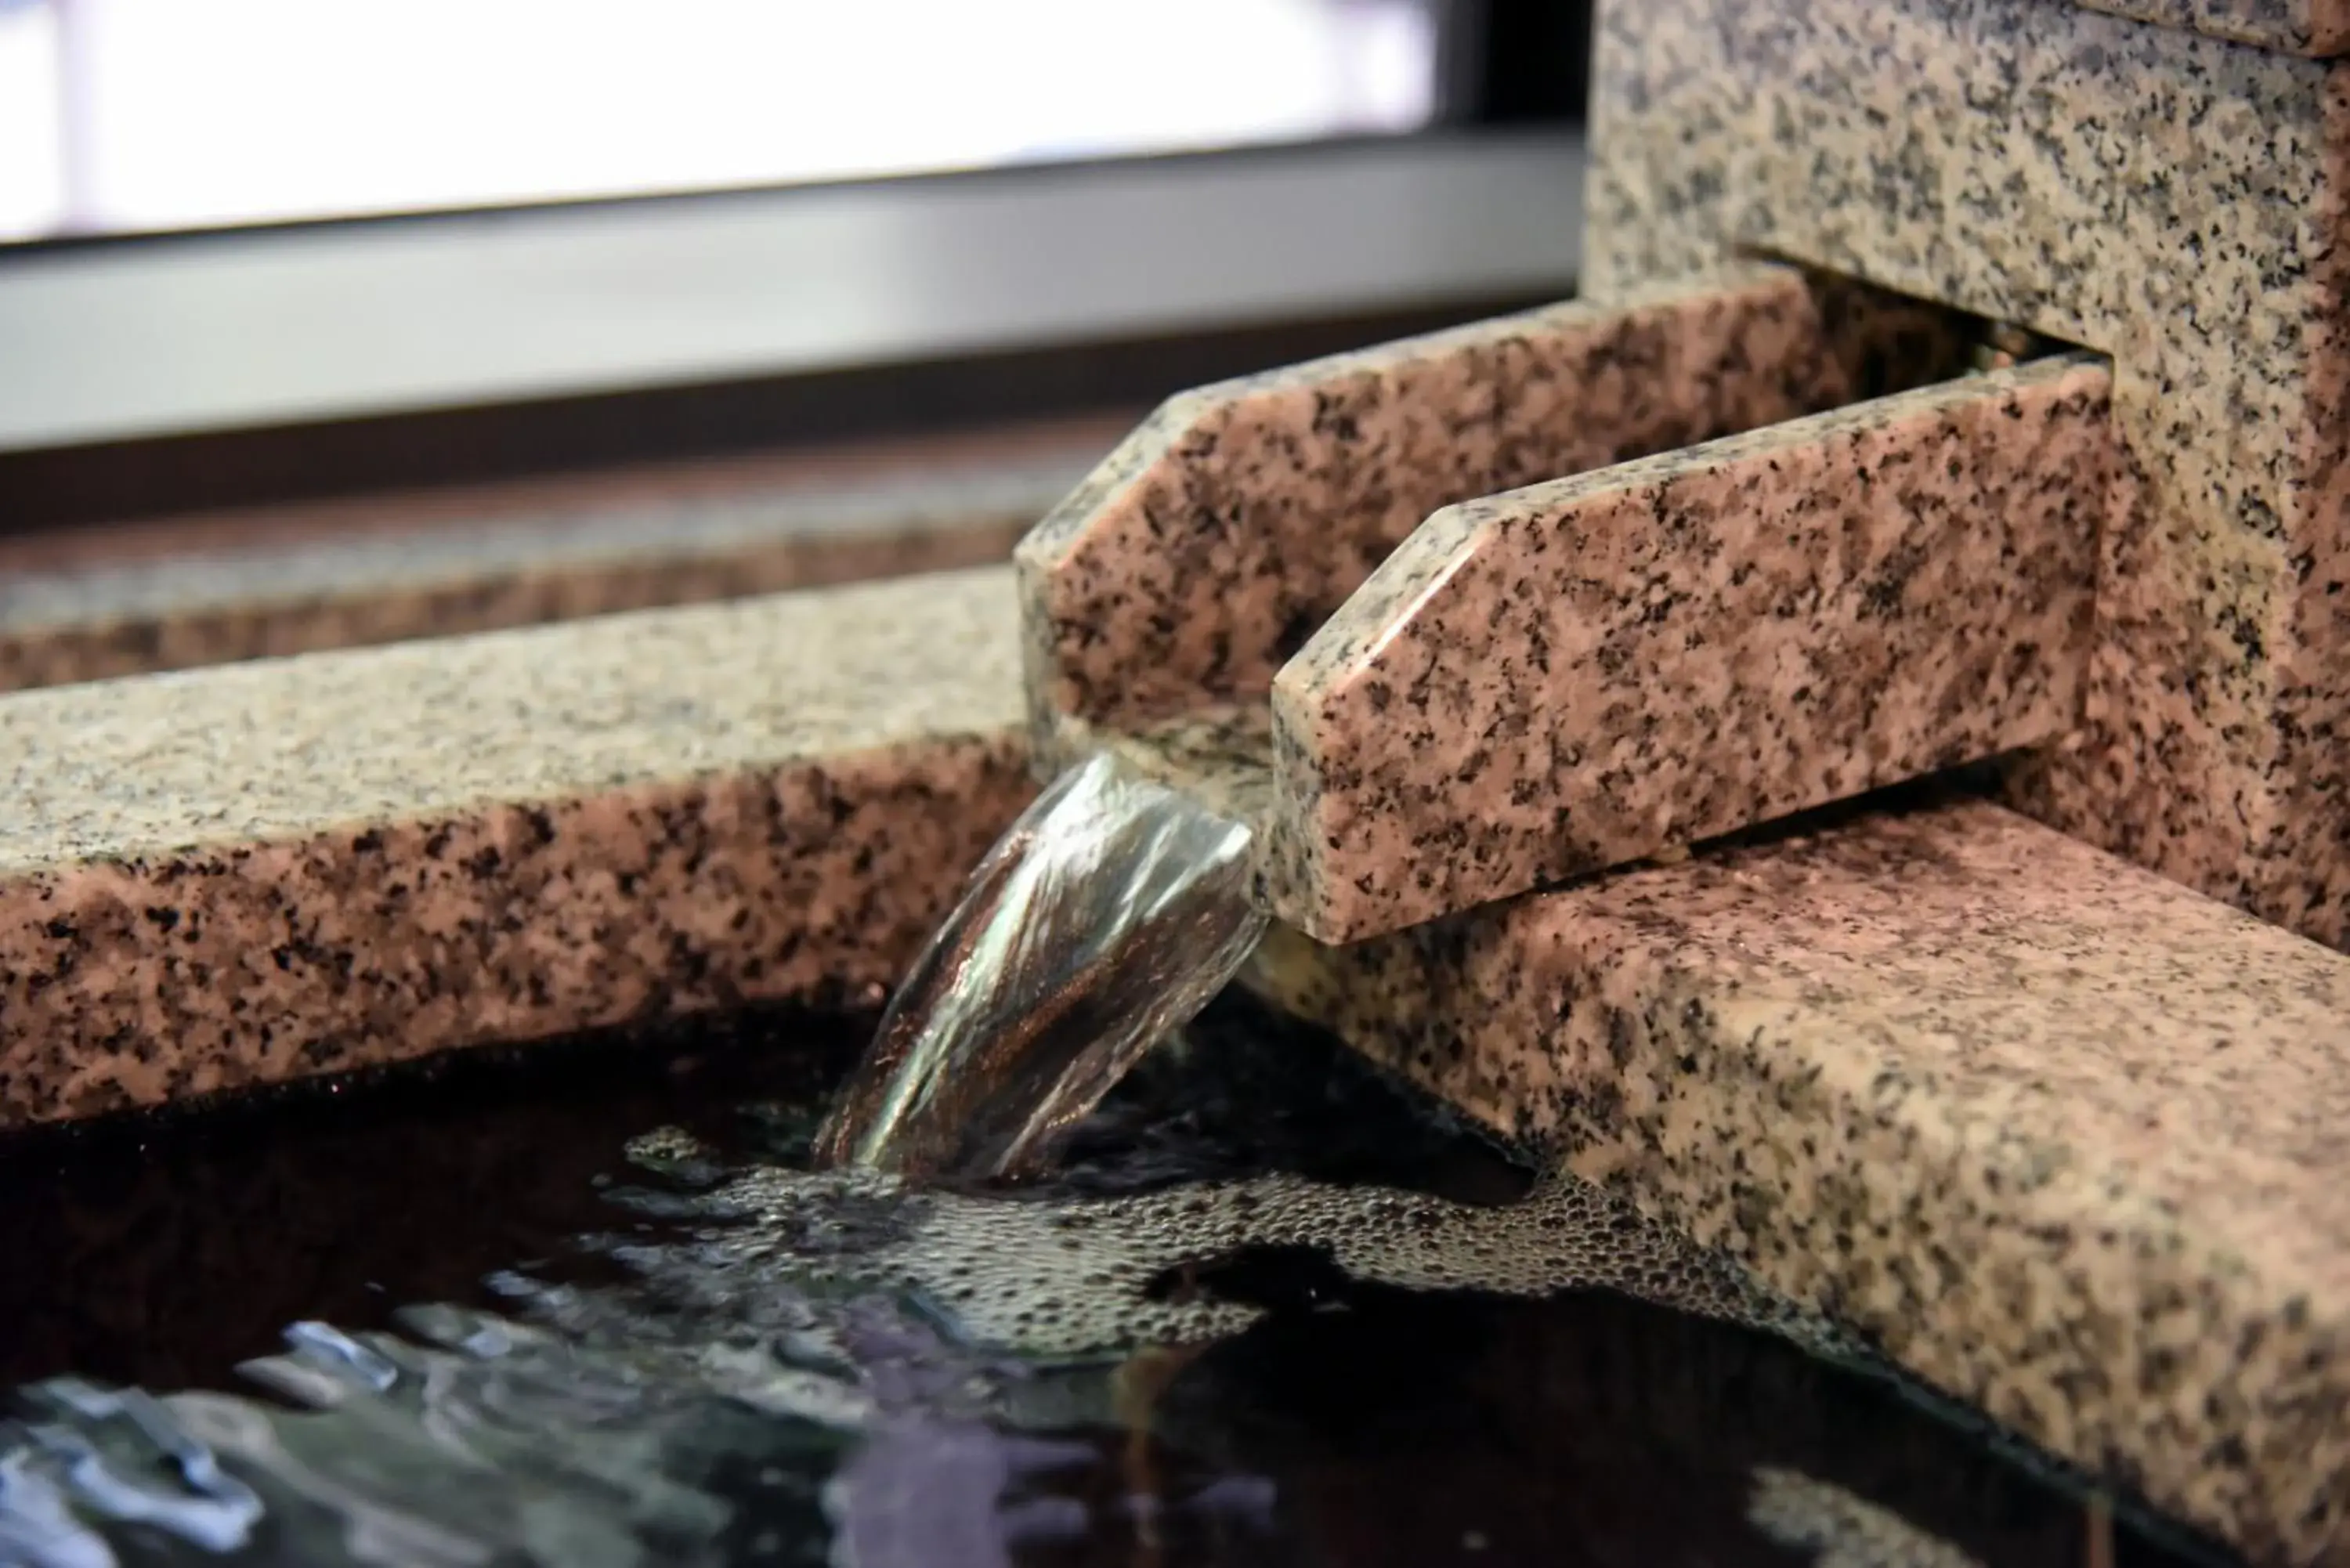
{"x":2048,"y":1130}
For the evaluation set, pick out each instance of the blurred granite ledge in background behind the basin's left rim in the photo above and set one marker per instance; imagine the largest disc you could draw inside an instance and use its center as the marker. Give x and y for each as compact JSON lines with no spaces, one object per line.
{"x":596,"y":549}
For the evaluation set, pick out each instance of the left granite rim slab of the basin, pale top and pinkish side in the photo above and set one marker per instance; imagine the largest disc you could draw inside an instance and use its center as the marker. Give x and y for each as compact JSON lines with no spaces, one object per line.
{"x":304,"y":866}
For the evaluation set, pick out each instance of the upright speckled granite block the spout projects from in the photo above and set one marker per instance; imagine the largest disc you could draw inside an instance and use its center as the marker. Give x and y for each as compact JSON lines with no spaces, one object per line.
{"x":2170,"y":199}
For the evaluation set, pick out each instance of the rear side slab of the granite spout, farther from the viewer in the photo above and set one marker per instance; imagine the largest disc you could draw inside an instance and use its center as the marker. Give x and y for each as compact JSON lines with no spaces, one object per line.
{"x":1207,"y":549}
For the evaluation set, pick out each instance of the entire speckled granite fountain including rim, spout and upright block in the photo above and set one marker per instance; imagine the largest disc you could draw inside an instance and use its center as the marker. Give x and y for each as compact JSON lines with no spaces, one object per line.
{"x":1881,"y":824}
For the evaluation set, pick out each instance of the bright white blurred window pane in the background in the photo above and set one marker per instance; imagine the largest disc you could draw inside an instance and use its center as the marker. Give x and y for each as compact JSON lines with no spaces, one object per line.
{"x":123,"y":116}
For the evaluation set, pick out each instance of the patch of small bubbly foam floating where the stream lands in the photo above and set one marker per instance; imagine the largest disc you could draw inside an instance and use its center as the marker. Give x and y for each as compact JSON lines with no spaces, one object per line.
{"x":1089,"y":1278}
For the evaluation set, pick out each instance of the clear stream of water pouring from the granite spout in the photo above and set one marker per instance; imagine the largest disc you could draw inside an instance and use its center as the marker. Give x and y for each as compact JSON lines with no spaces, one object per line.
{"x":1108,"y":916}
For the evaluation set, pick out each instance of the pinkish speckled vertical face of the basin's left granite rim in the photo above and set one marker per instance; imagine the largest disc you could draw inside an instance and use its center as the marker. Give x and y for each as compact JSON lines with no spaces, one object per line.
{"x":814,"y":880}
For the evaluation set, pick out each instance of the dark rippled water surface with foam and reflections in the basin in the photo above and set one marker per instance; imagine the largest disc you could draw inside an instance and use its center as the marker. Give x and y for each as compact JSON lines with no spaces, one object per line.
{"x":1275,"y":1313}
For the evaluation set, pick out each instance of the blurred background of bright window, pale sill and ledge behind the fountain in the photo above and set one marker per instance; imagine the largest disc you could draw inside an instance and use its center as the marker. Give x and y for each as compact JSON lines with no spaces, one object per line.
{"x":605,"y":281}
